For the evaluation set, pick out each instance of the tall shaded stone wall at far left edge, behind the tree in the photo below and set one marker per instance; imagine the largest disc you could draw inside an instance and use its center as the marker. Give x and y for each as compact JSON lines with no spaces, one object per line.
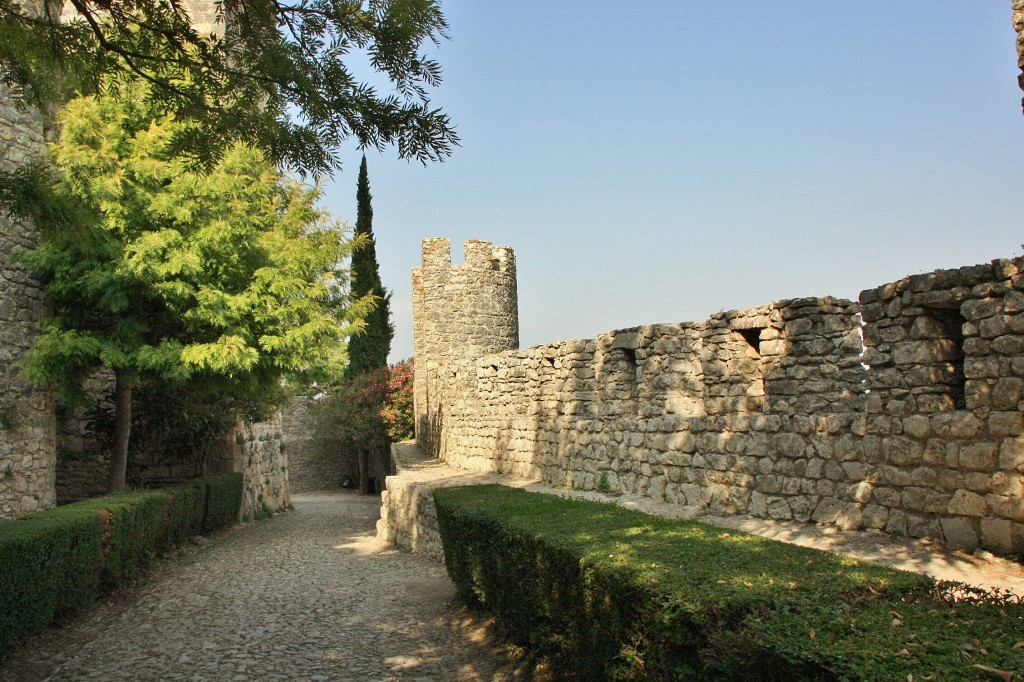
{"x":28,"y":444}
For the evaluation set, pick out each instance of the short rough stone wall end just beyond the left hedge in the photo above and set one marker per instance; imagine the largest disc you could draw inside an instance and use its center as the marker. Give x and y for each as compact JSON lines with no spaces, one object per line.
{"x":257,"y":452}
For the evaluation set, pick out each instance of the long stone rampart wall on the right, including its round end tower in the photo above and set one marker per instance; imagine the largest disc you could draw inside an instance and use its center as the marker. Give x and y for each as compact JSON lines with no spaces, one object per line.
{"x":902,"y":413}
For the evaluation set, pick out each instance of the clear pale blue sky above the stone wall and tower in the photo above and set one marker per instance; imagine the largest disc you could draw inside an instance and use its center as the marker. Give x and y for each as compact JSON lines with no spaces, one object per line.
{"x":659,"y":162}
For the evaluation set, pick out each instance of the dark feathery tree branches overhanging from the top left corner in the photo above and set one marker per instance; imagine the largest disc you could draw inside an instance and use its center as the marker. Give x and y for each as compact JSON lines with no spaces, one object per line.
{"x":277,"y":79}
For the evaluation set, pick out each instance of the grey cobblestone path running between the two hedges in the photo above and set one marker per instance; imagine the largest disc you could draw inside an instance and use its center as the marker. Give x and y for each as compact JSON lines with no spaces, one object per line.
{"x":311,"y":595}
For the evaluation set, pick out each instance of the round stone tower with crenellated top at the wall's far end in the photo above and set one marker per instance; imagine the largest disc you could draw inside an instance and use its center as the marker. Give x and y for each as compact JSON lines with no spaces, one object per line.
{"x":460,"y":315}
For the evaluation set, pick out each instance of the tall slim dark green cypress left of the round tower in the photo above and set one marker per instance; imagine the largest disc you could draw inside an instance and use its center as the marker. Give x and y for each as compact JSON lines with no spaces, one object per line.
{"x":369,"y":350}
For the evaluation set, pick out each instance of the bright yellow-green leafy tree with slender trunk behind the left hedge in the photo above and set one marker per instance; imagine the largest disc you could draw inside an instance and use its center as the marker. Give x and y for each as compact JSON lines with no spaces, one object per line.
{"x":228,"y":281}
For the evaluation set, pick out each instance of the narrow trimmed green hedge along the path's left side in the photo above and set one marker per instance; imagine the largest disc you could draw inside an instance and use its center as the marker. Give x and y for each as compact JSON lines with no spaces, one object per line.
{"x":55,"y":563}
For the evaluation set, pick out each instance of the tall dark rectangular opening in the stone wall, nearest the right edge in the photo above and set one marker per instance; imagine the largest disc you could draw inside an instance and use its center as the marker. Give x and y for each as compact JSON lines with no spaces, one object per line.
{"x":941,"y":331}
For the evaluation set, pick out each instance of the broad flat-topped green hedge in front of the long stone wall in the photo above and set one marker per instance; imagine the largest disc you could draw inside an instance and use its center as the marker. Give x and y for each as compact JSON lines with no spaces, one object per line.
{"x":601,"y":592}
